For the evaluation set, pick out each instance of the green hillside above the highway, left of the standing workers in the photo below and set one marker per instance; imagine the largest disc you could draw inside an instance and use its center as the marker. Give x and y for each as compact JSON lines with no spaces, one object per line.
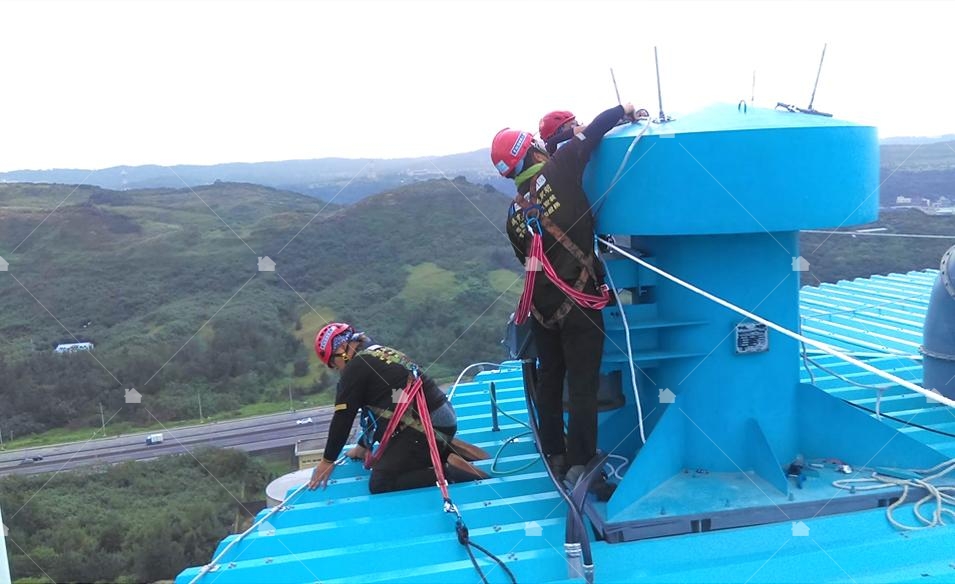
{"x":165,"y":284}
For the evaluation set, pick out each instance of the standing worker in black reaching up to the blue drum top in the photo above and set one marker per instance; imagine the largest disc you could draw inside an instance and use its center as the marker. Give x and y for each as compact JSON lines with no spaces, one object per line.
{"x":569,"y":337}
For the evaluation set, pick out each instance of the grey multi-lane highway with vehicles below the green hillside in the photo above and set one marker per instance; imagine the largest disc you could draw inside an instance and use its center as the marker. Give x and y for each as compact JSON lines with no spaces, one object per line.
{"x":255,"y":434}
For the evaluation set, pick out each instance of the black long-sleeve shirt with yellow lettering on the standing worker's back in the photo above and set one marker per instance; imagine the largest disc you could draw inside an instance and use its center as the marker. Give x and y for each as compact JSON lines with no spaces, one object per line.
{"x":561,"y":195}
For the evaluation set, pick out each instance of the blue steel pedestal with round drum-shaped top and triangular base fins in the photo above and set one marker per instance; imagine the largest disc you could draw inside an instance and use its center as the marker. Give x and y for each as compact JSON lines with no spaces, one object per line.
{"x":718,"y":201}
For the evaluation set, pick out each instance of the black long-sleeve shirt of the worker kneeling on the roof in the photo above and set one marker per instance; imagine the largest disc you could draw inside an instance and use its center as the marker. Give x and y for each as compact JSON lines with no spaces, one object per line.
{"x":368,"y":381}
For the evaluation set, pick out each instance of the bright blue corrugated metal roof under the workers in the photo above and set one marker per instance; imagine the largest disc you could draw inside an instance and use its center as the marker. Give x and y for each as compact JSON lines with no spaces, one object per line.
{"x":346,"y":535}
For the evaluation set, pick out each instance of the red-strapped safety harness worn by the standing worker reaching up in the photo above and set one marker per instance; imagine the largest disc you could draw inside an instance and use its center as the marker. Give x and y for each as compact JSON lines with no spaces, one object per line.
{"x":537,"y":260}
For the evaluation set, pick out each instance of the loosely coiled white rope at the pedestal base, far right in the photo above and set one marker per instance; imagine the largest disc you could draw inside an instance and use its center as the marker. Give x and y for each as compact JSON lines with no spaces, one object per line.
{"x":940,"y":495}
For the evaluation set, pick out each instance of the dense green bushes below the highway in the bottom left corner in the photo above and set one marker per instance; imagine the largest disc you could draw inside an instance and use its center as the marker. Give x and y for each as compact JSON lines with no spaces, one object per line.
{"x":132,"y":522}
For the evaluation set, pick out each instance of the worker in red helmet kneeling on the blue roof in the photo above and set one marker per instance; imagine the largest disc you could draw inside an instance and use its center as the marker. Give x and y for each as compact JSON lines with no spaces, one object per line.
{"x":373,"y":378}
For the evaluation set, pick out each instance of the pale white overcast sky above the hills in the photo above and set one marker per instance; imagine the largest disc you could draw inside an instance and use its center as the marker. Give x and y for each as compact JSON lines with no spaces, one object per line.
{"x":99,"y":84}
